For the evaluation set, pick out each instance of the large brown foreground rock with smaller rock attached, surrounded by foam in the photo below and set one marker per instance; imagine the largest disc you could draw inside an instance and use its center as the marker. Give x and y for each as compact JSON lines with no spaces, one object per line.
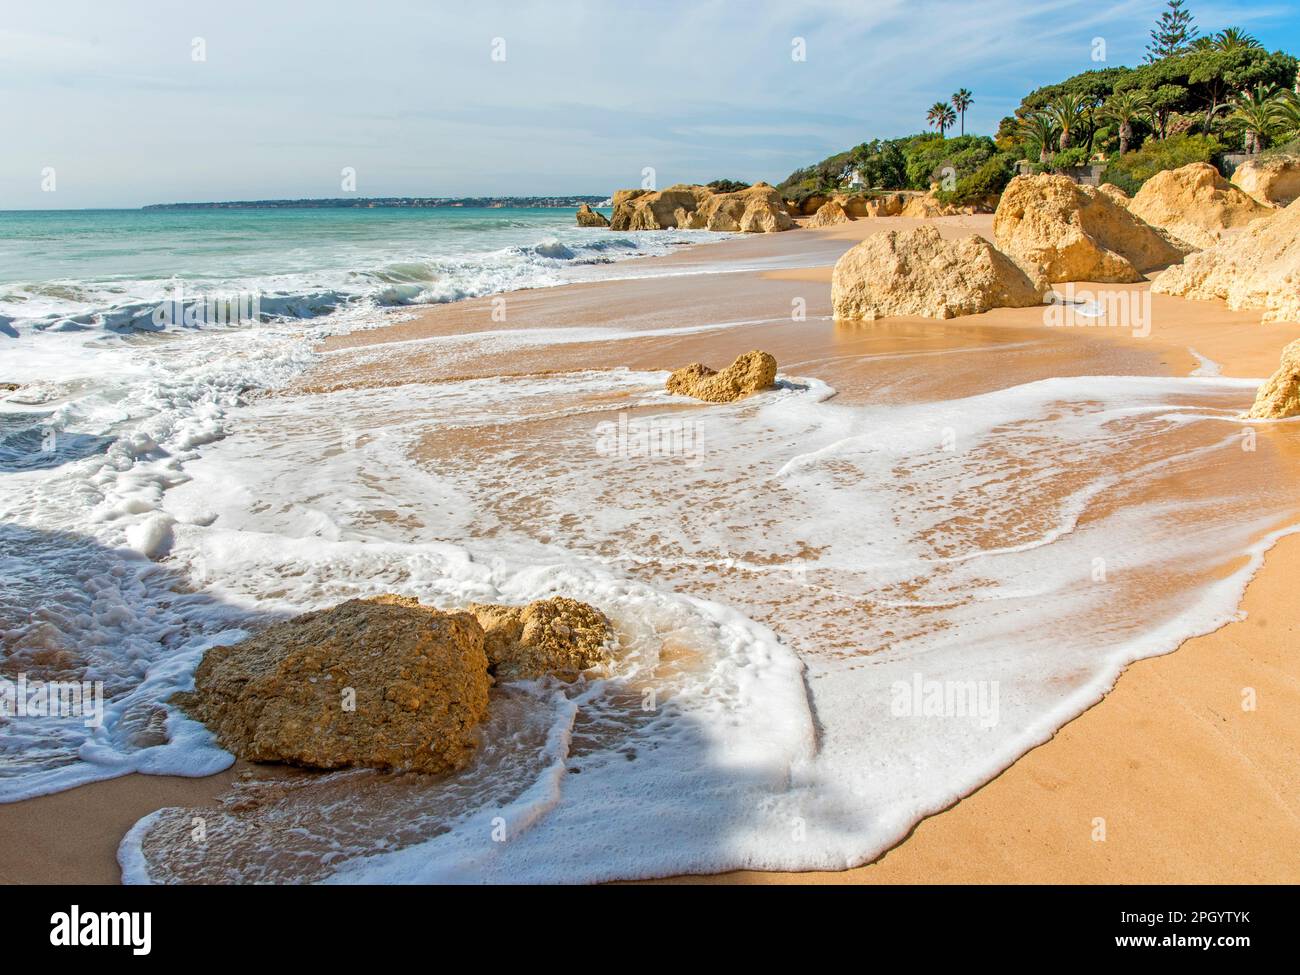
{"x":384,"y":683}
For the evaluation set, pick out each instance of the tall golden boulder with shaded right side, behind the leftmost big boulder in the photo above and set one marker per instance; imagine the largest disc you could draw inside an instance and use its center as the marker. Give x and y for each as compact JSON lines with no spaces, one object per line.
{"x":1064,"y":232}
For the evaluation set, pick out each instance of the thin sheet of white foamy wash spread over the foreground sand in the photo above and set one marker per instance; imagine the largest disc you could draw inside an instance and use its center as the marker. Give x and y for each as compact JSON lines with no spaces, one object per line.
{"x":1013,"y":549}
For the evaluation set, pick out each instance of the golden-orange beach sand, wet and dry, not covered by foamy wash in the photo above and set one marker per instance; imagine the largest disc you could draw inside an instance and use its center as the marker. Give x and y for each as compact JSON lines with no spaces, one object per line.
{"x":1168,"y":779}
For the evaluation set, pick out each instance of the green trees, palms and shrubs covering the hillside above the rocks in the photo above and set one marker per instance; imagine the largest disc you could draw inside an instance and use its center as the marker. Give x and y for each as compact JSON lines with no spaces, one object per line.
{"x":1194,"y":99}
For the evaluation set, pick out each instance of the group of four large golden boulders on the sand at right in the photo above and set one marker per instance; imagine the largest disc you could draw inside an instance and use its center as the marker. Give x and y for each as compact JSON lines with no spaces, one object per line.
{"x":1048,"y":229}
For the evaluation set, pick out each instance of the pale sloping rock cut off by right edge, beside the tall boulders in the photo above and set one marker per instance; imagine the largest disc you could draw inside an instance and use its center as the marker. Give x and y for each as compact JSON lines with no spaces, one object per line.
{"x":1259,"y":268}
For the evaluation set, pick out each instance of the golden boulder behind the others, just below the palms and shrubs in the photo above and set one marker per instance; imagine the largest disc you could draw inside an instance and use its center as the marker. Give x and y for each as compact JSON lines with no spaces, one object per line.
{"x":1195,"y":203}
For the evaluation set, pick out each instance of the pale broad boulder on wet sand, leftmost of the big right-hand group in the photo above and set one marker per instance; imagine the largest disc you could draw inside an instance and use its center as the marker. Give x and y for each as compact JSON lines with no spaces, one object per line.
{"x":918,"y":272}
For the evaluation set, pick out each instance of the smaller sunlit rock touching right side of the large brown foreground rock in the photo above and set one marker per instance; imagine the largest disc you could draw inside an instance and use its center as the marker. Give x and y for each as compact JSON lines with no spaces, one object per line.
{"x":557,"y":636}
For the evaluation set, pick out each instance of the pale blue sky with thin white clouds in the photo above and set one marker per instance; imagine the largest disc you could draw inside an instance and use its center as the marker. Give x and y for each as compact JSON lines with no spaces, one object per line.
{"x":146,"y":102}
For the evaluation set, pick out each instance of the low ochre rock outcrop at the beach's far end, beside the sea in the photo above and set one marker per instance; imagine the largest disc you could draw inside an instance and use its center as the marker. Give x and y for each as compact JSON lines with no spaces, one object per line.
{"x":756,"y":210}
